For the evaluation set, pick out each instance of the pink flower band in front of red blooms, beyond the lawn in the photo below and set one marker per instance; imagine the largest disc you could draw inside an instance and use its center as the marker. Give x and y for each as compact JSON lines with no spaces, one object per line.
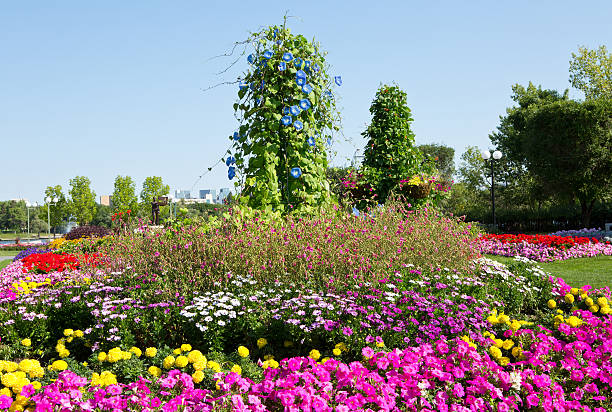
{"x":541,"y":252}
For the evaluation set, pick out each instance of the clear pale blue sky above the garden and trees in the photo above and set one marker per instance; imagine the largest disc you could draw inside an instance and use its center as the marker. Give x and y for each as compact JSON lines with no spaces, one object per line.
{"x":107,"y":88}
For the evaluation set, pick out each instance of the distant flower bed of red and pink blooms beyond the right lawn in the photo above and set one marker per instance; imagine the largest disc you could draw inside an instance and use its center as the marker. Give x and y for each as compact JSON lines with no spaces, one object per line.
{"x":543,"y":248}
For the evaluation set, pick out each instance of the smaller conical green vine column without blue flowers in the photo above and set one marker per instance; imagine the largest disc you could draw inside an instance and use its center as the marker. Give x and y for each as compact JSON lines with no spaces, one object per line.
{"x":390,"y":155}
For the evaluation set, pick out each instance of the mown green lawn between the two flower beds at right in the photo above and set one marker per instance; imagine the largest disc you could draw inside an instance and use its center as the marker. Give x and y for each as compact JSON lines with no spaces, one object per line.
{"x":595,"y":271}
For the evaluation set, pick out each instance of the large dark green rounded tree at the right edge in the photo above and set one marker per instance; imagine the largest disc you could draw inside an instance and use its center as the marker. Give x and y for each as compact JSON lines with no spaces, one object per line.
{"x":568,"y":145}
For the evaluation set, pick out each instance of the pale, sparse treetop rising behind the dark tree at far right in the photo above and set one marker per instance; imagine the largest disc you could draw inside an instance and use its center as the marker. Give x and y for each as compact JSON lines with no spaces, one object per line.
{"x":591,"y":72}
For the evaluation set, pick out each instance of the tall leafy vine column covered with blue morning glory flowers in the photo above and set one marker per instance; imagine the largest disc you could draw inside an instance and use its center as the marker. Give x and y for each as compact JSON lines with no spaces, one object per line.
{"x":287,"y":114}
